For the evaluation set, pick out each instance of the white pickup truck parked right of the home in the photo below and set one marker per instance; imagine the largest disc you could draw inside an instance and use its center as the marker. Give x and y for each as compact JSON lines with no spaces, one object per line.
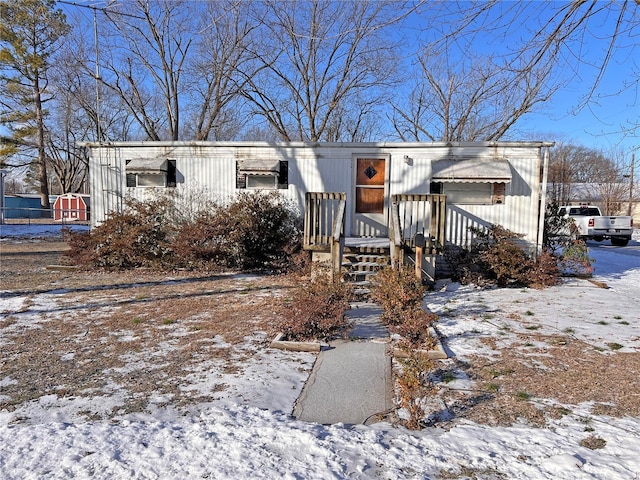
{"x":593,"y":225}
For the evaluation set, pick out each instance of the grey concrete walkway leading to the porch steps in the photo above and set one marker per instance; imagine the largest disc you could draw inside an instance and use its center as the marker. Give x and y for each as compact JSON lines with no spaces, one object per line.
{"x":351,"y":381}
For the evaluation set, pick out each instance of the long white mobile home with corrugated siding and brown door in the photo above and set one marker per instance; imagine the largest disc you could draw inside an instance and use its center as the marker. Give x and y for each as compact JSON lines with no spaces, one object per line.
{"x":476,"y":184}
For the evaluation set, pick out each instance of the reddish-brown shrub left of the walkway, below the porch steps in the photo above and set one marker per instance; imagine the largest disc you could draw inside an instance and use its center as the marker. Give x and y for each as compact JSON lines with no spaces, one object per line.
{"x":315,"y":310}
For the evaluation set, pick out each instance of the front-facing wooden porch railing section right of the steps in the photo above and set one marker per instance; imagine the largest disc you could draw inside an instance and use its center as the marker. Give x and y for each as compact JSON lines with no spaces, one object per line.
{"x":417,"y":214}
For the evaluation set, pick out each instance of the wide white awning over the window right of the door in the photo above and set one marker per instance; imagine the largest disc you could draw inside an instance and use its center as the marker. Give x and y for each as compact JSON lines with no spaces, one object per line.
{"x":472,"y":170}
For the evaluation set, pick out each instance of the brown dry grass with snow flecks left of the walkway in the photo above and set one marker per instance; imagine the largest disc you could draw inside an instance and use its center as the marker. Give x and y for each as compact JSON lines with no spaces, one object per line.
{"x":140,"y":333}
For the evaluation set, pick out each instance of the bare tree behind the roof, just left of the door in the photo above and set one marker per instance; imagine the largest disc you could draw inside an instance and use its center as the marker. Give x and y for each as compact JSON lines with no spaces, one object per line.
{"x":322,"y":66}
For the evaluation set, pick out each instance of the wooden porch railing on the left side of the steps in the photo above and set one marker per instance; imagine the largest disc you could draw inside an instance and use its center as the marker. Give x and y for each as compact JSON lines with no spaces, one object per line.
{"x":324,"y":220}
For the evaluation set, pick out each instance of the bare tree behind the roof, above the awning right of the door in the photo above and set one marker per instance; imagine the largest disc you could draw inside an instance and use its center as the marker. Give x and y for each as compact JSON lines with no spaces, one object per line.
{"x":457,"y":97}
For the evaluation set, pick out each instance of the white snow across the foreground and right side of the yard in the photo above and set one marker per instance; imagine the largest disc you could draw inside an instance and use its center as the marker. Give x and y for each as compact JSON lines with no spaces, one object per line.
{"x":253,"y":436}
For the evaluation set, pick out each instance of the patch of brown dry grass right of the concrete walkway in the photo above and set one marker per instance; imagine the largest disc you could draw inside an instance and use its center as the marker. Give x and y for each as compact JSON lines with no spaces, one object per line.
{"x":517,"y":383}
